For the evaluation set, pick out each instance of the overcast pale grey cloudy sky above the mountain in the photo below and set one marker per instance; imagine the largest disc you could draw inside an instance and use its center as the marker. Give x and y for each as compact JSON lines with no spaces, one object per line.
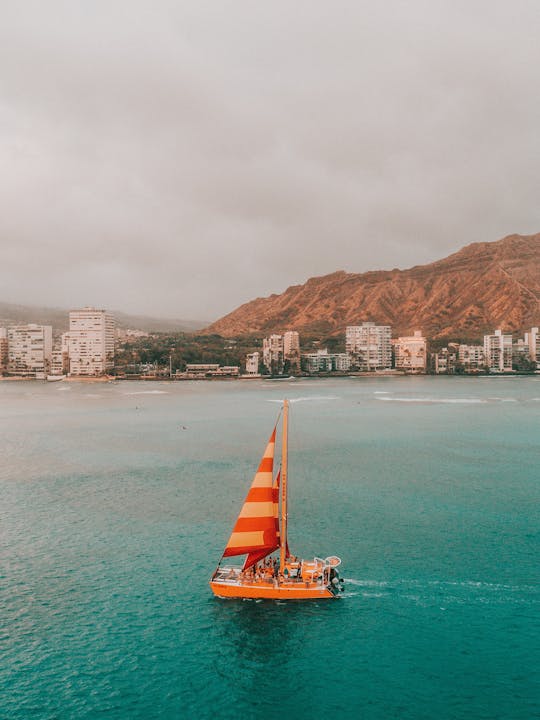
{"x":181,"y":158}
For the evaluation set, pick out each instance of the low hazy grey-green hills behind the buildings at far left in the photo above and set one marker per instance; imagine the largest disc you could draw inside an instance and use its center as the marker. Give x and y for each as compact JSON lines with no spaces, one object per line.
{"x":59,"y":318}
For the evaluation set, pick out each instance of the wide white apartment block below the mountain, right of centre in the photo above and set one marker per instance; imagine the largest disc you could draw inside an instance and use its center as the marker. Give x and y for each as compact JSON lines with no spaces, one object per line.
{"x":369,"y":346}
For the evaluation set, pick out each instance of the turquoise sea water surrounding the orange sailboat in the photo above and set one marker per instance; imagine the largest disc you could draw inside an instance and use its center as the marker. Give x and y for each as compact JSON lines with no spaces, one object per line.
{"x":113,"y":517}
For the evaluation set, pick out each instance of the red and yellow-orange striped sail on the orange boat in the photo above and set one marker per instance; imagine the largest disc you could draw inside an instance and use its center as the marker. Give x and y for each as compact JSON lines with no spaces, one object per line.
{"x":256,"y":533}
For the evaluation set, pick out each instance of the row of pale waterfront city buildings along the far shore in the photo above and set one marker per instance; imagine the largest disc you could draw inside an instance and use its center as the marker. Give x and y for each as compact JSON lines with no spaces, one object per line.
{"x":88,"y":350}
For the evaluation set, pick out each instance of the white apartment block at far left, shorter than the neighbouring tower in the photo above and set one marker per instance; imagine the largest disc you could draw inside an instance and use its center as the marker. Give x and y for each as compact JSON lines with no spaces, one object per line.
{"x":29,"y":349}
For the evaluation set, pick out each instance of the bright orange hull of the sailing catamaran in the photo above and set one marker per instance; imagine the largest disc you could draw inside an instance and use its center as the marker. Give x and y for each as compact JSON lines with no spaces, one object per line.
{"x":269,"y":591}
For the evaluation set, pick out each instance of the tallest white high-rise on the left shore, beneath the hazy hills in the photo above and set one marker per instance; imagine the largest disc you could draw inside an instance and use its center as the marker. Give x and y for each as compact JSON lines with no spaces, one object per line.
{"x":90,"y":342}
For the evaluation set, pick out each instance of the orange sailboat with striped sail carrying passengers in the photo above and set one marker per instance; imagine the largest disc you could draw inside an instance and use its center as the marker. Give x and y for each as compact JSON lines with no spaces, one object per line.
{"x":260,"y":531}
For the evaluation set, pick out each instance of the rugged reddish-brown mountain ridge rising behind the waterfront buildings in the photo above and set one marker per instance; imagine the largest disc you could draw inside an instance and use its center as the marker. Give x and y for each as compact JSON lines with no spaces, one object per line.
{"x":481,"y":287}
